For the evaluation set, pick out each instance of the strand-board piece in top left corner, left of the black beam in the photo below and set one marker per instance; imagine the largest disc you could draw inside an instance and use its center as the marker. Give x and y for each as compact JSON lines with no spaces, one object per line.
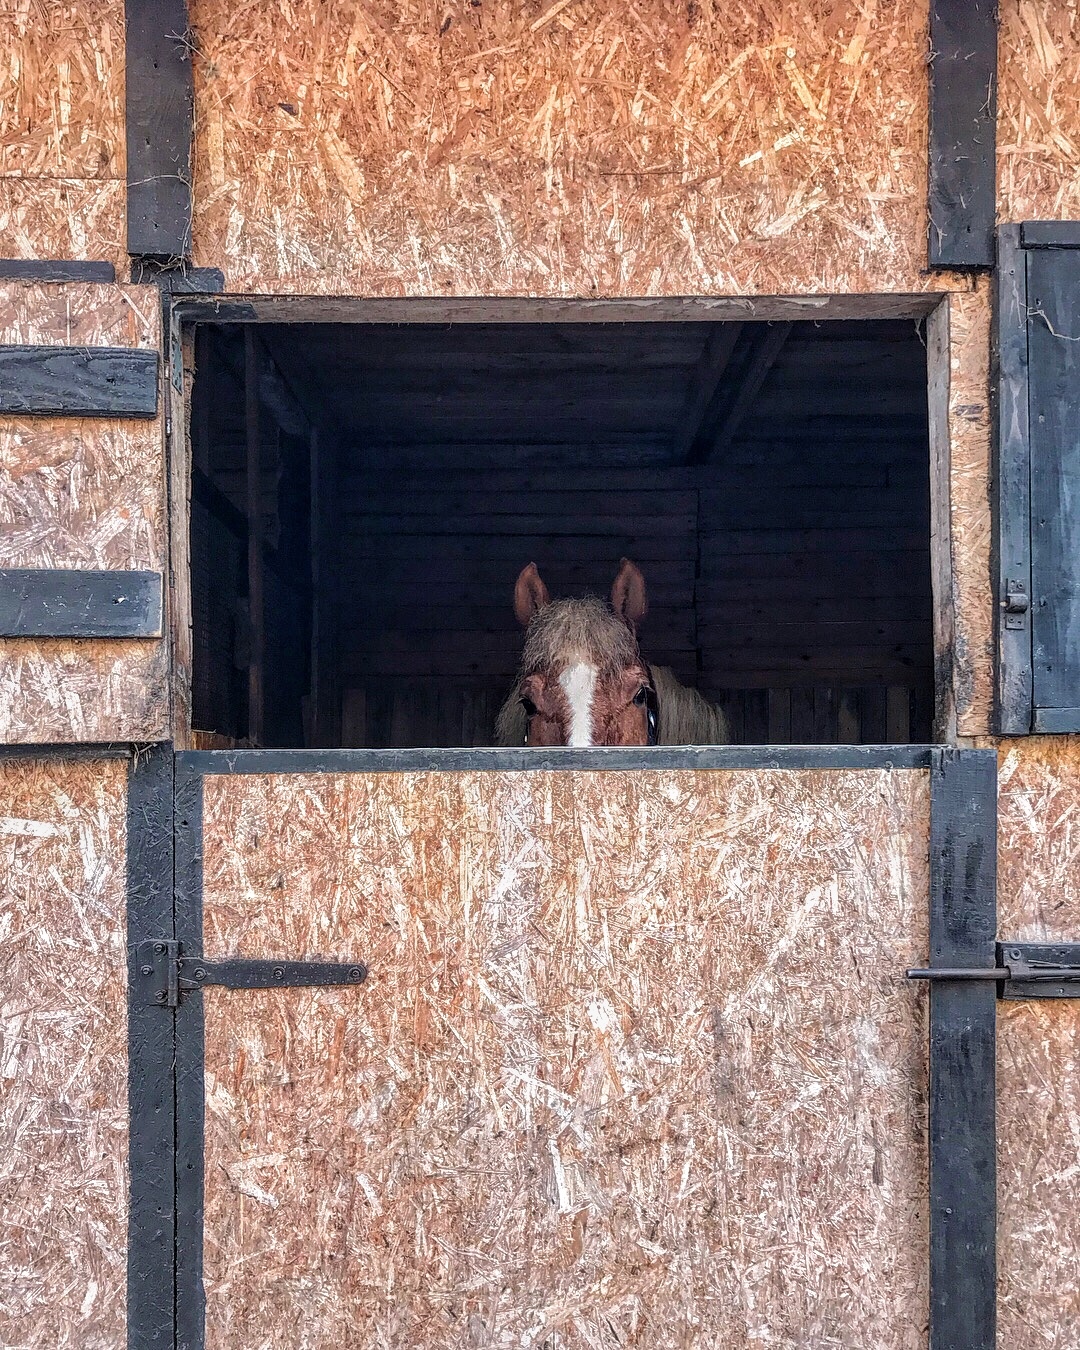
{"x":63,"y":130}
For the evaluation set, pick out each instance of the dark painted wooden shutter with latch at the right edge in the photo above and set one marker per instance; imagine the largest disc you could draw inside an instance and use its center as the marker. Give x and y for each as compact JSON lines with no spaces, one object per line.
{"x":1039,"y":479}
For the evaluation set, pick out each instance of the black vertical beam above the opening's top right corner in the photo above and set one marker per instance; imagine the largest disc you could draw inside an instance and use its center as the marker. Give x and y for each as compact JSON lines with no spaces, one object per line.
{"x":963,"y":118}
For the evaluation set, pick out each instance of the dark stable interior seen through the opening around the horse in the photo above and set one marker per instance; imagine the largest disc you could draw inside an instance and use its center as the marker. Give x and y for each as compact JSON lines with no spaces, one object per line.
{"x":770,"y":480}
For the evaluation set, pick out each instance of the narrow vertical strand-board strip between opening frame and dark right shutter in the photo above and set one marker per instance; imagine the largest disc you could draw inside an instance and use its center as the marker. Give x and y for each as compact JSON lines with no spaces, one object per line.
{"x":970,"y":508}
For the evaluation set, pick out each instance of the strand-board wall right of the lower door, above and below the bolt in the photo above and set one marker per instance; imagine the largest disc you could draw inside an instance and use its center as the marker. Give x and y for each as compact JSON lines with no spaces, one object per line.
{"x":1039,"y":1051}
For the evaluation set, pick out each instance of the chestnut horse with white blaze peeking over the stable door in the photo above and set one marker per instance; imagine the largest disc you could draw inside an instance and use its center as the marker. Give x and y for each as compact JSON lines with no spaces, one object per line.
{"x":584,"y":681}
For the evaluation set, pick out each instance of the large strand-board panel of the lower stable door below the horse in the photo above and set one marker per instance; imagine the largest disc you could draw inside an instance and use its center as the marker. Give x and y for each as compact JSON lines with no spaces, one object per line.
{"x":635,"y":1062}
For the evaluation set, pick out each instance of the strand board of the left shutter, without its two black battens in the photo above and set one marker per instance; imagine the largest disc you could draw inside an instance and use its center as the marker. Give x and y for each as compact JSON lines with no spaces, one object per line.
{"x":82,"y":493}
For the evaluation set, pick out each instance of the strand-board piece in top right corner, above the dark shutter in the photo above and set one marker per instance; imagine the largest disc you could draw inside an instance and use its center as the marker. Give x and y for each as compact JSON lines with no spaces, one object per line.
{"x":1039,"y":111}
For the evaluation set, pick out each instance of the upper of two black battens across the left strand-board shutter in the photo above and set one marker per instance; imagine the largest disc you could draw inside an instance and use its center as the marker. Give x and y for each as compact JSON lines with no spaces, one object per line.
{"x":80,"y":381}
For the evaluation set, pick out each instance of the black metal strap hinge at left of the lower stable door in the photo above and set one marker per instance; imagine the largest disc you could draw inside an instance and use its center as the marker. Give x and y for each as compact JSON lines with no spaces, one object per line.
{"x":164,"y":974}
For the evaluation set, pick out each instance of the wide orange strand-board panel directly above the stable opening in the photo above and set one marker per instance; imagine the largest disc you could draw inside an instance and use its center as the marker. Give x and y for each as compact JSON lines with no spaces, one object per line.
{"x":562,"y":149}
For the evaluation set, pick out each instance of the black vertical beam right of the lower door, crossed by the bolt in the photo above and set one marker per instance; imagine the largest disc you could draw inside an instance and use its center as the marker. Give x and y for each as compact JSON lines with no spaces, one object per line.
{"x":963,"y":1164}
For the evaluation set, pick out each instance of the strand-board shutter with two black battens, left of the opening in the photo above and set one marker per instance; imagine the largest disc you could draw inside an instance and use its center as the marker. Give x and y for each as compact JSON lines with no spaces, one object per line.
{"x":83,"y":519}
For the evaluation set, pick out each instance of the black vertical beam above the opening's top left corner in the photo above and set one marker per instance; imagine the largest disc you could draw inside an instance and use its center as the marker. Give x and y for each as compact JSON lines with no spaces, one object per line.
{"x":160,"y":119}
